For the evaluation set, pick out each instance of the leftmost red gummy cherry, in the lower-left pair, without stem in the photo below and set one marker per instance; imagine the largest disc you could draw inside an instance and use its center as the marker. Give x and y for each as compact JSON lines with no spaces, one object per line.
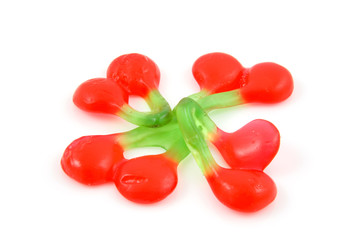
{"x":90,"y":159}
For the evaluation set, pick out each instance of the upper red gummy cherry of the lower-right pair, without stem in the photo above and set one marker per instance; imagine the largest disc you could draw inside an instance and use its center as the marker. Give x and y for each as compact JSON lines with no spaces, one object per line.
{"x":251,"y":147}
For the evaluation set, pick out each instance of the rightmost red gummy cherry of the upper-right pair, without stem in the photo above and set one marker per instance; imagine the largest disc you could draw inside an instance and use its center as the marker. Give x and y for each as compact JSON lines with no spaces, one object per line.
{"x":267,"y":83}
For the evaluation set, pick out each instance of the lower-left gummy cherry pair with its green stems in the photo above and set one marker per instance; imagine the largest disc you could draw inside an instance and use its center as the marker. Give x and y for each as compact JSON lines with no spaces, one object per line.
{"x":98,"y":159}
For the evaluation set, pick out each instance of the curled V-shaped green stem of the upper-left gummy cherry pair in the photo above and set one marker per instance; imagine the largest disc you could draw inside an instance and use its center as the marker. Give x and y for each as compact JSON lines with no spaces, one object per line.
{"x":159,"y":115}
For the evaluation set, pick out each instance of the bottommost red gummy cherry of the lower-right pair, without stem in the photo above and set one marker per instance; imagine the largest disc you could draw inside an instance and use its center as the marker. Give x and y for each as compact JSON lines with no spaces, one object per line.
{"x":242,"y":189}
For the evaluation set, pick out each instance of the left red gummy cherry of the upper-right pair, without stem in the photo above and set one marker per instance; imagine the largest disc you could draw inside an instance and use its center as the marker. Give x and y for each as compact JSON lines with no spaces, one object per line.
{"x":217,"y":72}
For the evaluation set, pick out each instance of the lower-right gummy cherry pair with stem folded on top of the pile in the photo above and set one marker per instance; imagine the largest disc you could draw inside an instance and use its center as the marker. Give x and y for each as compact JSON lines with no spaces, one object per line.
{"x":244,"y":186}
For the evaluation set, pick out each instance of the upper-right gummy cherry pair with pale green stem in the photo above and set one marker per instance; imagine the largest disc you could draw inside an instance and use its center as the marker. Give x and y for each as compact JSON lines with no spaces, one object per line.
{"x":223,"y":74}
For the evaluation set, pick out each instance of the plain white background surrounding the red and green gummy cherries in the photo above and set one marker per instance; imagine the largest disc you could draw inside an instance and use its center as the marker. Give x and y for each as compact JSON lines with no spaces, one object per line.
{"x":48,"y":48}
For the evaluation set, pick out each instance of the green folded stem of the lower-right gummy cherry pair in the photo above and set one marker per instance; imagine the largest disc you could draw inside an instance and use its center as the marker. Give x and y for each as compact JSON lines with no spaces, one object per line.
{"x":196,"y":127}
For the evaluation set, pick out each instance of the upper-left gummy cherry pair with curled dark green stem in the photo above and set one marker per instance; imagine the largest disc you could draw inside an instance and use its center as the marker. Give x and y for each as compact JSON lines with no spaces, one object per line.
{"x":129,"y":74}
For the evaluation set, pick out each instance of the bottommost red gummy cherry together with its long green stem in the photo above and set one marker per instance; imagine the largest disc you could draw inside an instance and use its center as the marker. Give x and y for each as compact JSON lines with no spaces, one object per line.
{"x":245,"y":190}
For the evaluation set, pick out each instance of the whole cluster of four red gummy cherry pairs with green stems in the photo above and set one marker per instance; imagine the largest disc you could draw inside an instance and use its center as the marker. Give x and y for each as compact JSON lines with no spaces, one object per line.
{"x":187,"y":129}
